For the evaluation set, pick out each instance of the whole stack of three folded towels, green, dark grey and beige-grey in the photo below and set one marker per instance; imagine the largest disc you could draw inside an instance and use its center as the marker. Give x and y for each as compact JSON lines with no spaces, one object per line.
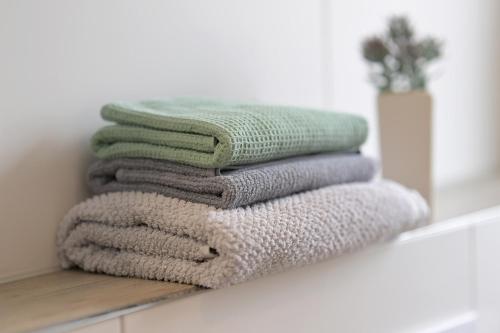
{"x":212,"y":193}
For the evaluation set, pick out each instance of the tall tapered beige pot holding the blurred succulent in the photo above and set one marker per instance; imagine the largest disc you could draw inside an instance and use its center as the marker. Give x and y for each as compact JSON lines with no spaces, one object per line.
{"x":405,"y":122}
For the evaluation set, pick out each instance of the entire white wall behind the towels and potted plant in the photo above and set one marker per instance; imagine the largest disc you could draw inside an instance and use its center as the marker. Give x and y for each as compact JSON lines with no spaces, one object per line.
{"x":61,"y":60}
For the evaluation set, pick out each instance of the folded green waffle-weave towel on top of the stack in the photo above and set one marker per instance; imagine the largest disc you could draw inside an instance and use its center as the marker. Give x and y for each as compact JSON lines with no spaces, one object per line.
{"x":212,"y":134}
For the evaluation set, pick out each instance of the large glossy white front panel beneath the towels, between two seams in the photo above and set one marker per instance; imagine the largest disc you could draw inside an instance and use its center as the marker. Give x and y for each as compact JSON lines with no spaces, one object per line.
{"x":421,"y":282}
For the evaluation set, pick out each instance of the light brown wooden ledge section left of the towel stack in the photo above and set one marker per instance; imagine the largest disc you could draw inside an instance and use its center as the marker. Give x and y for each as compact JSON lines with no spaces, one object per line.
{"x":77,"y":298}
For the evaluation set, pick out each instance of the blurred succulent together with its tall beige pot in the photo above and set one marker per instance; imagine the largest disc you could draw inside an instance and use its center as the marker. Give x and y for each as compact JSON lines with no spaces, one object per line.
{"x":398,"y":63}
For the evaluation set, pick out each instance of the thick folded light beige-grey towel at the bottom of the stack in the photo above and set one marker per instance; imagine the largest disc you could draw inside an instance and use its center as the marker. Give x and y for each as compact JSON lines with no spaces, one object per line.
{"x":151,"y":236}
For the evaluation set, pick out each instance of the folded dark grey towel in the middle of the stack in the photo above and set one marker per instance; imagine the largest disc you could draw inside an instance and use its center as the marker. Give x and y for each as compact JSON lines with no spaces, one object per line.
{"x":232,"y":188}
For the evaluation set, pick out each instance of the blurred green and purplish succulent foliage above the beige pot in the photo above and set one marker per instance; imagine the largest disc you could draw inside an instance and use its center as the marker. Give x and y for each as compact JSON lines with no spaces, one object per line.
{"x":398,"y":60}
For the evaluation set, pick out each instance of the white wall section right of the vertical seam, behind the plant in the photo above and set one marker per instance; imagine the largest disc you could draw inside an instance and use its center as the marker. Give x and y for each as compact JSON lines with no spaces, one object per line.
{"x":467,"y":117}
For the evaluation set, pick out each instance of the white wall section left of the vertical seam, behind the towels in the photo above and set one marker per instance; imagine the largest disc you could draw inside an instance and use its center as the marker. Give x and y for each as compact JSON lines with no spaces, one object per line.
{"x":61,"y":60}
